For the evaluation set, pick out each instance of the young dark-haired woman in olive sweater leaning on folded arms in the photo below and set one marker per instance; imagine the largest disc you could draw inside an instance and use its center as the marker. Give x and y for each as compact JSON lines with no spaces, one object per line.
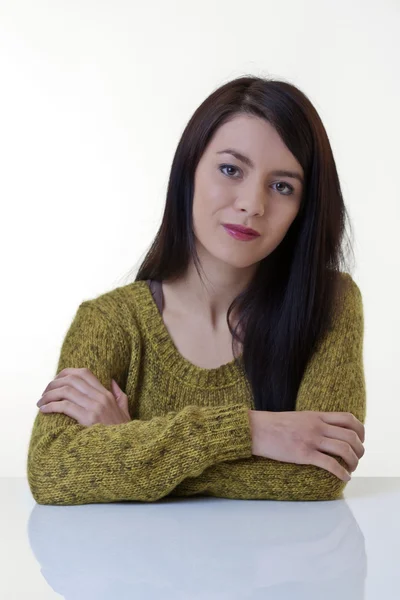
{"x":233,"y":365}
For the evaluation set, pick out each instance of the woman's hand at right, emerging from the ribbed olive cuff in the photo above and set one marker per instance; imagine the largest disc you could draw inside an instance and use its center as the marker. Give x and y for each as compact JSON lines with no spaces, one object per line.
{"x":303,"y":437}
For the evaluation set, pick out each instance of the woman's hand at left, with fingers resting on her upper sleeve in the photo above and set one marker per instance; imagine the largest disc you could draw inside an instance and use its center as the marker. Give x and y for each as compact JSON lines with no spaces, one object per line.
{"x":80,"y":395}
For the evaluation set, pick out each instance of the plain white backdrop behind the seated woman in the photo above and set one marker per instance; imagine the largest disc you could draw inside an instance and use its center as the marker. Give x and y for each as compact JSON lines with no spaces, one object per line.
{"x":94,"y":97}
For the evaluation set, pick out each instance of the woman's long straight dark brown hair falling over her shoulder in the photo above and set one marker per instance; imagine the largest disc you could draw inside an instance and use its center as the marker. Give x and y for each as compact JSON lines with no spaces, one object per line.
{"x":289,"y":305}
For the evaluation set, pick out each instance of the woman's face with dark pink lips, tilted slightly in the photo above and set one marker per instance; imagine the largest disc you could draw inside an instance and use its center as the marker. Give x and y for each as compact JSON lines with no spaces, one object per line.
{"x":227,"y":190}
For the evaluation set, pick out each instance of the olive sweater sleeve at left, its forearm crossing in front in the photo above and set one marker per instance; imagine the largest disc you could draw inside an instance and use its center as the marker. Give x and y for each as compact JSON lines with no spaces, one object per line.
{"x":69,"y":463}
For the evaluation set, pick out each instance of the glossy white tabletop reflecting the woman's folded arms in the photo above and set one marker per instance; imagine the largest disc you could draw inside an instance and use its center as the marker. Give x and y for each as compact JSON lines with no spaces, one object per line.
{"x":203,"y":548}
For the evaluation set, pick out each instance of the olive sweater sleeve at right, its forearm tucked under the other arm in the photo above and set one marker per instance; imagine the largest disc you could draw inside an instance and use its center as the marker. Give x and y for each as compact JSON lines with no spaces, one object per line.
{"x":333,"y":381}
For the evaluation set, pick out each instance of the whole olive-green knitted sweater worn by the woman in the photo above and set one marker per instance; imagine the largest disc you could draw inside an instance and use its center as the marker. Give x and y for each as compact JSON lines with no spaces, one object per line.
{"x":190,"y":430}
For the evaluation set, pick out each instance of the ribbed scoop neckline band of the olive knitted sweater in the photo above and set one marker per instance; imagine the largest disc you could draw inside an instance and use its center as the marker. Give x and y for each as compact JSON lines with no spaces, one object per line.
{"x":168,"y":354}
